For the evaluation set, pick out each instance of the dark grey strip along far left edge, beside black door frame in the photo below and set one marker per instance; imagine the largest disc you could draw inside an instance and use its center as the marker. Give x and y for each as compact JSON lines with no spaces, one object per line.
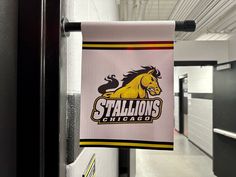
{"x":8,"y":61}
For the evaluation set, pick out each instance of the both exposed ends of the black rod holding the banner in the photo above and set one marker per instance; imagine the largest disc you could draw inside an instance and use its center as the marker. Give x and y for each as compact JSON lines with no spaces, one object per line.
{"x":184,"y":26}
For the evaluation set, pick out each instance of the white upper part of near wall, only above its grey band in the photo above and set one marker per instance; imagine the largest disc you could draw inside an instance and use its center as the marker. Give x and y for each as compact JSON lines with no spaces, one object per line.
{"x":84,"y":10}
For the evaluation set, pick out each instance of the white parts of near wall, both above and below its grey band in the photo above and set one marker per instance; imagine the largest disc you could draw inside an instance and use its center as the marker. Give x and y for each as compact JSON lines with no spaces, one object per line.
{"x":88,"y":10}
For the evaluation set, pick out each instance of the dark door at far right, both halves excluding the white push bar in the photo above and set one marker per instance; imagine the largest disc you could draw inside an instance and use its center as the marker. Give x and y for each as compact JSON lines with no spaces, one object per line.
{"x":224,"y":105}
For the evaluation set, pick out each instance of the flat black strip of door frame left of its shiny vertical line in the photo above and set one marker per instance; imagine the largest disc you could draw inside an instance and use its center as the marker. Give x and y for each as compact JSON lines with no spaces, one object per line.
{"x":28,"y":89}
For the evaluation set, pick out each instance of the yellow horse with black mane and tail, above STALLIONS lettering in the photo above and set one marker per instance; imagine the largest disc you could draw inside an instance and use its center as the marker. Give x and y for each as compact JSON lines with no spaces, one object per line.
{"x":136,"y":84}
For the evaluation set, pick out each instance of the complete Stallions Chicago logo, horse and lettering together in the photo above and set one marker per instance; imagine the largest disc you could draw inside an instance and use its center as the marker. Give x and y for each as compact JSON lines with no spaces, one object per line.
{"x":130,"y":103}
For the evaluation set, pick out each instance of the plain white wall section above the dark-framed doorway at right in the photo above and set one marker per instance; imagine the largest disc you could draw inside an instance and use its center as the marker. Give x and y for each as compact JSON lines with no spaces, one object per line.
{"x":201,"y":50}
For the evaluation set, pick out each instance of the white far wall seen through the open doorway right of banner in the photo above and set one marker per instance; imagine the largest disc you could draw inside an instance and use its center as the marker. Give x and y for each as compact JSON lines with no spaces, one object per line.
{"x":200,"y":80}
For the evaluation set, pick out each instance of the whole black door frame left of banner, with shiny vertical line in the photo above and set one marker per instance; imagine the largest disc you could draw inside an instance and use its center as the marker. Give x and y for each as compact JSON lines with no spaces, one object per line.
{"x":41,"y":94}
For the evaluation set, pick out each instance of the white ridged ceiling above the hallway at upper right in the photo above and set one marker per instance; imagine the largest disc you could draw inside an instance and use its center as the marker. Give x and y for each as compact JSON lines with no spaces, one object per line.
{"x":215,"y":19}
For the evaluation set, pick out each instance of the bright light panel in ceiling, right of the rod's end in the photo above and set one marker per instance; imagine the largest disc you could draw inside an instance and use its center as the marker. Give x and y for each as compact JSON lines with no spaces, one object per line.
{"x":213,"y":37}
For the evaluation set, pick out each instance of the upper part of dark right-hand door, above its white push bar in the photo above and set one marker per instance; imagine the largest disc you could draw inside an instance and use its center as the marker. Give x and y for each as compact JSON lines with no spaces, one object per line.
{"x":225,"y":98}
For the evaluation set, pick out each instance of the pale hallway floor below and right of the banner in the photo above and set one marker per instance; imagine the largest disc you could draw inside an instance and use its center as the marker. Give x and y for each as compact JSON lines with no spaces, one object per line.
{"x":185,"y":161}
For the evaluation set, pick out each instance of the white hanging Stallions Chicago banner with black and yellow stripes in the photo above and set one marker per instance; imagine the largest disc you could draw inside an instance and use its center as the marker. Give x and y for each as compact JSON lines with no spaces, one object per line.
{"x":127,"y":85}
